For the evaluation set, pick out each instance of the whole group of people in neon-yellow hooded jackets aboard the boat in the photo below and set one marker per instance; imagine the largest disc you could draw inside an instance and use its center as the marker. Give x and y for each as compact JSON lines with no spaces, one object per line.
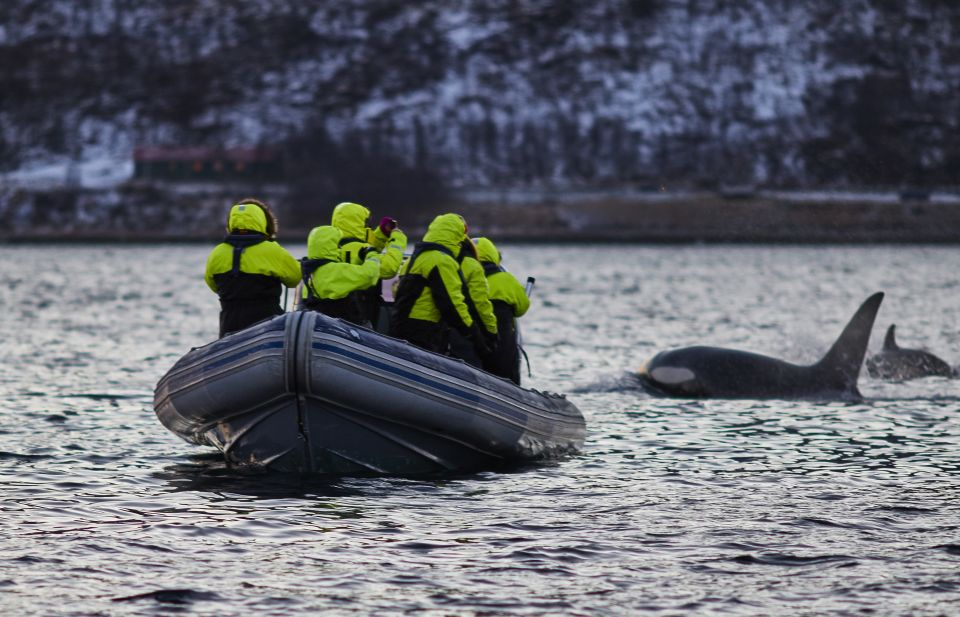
{"x":450,"y":296}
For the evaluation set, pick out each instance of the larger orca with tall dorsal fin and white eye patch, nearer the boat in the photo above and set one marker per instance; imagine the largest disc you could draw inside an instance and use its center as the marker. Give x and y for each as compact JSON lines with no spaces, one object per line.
{"x":714,"y":372}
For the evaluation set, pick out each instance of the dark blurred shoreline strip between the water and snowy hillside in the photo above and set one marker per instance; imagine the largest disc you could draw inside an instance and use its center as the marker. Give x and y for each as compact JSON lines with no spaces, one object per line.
{"x":569,"y":217}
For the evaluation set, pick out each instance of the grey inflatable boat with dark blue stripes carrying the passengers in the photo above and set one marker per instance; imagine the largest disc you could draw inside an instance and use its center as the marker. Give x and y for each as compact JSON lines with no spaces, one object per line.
{"x":306,"y":393}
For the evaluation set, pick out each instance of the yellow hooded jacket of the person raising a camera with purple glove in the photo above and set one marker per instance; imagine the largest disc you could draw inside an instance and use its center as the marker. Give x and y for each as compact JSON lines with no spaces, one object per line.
{"x":351,"y":219}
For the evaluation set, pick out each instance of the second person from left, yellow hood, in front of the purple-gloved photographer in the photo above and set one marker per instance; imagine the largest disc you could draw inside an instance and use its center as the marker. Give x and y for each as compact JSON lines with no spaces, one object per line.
{"x":328,"y":283}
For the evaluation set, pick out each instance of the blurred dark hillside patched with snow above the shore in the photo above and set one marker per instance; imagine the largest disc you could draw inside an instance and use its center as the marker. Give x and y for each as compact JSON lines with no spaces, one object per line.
{"x":467,"y":93}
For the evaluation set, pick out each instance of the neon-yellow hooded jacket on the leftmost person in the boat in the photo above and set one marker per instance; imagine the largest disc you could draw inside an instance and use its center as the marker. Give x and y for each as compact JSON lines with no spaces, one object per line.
{"x":264,"y":257}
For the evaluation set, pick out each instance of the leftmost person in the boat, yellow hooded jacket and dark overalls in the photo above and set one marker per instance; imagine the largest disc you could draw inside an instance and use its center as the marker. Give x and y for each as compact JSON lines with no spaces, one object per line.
{"x":249,"y":269}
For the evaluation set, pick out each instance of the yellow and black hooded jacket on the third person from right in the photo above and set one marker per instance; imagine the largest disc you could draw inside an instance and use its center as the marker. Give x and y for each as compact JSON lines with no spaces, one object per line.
{"x":431,"y":286}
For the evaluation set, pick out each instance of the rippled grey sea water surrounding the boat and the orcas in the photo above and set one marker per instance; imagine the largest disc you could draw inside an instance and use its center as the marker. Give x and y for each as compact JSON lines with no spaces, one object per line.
{"x":674,"y":507}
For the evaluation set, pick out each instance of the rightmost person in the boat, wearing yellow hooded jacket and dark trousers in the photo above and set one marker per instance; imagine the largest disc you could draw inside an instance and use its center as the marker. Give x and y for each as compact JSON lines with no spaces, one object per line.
{"x":509,"y":301}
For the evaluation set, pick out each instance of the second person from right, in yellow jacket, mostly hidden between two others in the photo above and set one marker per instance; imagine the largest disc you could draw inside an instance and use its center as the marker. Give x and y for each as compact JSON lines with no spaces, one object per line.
{"x":477,"y":295}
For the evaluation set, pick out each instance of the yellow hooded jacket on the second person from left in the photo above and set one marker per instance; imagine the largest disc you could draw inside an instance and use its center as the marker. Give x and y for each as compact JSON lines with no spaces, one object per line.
{"x":333,"y":279}
